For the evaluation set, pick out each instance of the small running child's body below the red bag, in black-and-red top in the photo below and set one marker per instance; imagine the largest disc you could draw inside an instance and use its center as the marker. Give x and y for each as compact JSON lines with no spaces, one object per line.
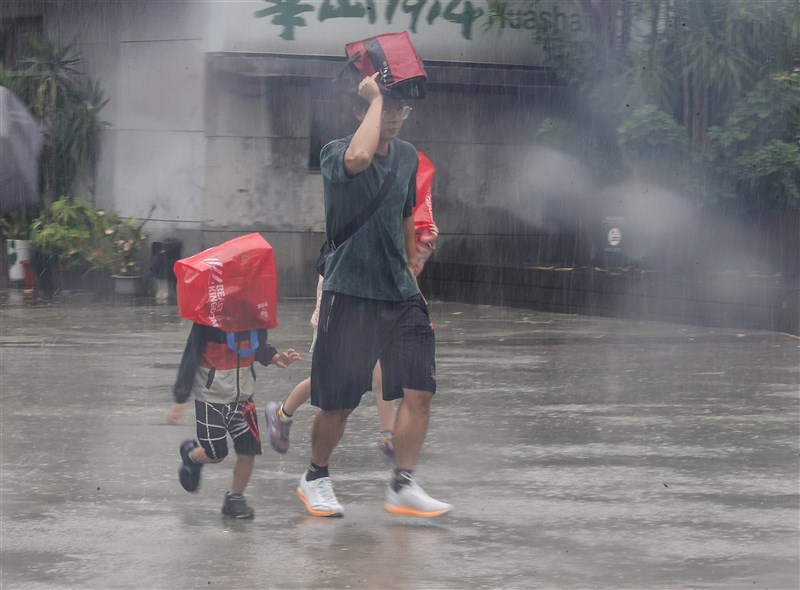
{"x":223,"y":384}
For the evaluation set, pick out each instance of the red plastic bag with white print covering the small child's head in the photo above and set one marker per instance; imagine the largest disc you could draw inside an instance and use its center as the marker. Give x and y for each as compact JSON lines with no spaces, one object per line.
{"x":233,"y":286}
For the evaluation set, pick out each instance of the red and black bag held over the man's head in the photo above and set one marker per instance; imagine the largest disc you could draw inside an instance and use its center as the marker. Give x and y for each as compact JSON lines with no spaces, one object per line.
{"x":394,"y":57}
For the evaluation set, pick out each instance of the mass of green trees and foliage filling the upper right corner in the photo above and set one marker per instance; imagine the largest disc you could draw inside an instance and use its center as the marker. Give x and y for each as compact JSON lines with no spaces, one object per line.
{"x":713,"y":87}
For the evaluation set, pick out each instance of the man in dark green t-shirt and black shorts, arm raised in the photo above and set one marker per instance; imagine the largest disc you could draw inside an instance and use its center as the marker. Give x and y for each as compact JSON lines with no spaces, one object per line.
{"x":371,"y":305}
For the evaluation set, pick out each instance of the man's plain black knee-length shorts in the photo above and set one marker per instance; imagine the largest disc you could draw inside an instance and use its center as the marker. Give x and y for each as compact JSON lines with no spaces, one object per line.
{"x":353,"y":333}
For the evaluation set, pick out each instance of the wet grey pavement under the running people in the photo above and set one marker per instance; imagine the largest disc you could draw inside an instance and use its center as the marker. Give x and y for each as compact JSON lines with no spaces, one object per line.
{"x":579,"y":452}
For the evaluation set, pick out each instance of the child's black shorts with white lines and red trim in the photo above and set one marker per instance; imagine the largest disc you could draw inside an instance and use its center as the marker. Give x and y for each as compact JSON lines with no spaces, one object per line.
{"x":216,"y":421}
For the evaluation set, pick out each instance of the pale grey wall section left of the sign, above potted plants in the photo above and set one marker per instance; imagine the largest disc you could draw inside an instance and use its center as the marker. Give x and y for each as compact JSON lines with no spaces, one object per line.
{"x":149,"y":59}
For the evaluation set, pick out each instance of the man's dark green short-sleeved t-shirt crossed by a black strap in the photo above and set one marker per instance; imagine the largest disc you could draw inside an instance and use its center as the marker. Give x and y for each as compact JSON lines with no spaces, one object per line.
{"x":372,"y":262}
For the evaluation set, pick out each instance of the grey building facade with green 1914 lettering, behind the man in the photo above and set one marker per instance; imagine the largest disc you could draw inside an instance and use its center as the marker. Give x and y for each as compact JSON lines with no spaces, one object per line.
{"x":218,"y":109}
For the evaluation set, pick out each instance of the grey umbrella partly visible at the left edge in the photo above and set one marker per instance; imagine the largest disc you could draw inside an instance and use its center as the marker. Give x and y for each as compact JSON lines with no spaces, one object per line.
{"x":20,"y":144}
